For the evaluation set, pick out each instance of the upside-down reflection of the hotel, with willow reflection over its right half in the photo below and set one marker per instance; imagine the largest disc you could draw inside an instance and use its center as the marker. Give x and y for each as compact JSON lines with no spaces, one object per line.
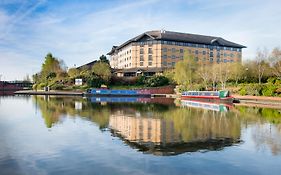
{"x":175,"y":132}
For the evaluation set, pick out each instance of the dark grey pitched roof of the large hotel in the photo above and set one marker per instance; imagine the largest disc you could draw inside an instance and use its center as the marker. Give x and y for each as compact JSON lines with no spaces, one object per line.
{"x":181,"y":37}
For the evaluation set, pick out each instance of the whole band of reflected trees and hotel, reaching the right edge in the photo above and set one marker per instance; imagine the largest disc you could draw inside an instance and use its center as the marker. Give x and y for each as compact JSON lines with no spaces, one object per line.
{"x":160,"y":127}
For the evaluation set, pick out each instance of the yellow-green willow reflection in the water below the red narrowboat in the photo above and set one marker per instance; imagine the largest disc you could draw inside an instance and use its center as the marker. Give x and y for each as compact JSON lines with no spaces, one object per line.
{"x":197,"y":124}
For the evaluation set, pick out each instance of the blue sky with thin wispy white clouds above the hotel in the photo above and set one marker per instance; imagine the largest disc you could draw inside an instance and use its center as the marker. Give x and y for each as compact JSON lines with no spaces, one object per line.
{"x":79,"y":31}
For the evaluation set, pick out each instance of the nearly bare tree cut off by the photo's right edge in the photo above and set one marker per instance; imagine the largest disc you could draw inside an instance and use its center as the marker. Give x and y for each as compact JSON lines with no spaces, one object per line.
{"x":275,"y":59}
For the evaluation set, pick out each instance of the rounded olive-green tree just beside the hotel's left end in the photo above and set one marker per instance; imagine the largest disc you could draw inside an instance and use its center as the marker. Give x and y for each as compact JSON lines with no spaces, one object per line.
{"x":102,"y":70}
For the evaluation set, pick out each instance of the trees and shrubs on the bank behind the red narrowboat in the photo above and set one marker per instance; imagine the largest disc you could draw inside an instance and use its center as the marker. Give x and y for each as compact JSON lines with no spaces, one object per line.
{"x":261,"y":76}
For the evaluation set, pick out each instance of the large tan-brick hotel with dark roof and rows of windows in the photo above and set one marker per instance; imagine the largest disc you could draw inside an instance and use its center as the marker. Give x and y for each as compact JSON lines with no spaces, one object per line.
{"x":161,"y":49}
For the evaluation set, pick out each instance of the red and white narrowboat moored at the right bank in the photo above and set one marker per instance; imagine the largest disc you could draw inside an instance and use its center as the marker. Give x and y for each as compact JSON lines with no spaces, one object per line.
{"x":223,"y":95}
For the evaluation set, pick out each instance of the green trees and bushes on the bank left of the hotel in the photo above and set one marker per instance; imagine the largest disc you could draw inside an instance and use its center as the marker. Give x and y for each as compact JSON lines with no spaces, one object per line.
{"x":55,"y":75}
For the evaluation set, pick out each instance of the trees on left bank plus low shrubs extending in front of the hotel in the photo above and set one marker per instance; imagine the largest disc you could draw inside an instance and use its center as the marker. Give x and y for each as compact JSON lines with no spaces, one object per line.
{"x":55,"y":75}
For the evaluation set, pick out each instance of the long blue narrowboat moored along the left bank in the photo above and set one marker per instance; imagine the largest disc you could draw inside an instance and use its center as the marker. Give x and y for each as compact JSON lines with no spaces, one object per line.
{"x":115,"y":92}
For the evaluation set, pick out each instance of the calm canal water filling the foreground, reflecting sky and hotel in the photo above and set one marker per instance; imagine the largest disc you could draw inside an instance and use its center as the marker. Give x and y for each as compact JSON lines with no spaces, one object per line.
{"x":75,"y":135}
